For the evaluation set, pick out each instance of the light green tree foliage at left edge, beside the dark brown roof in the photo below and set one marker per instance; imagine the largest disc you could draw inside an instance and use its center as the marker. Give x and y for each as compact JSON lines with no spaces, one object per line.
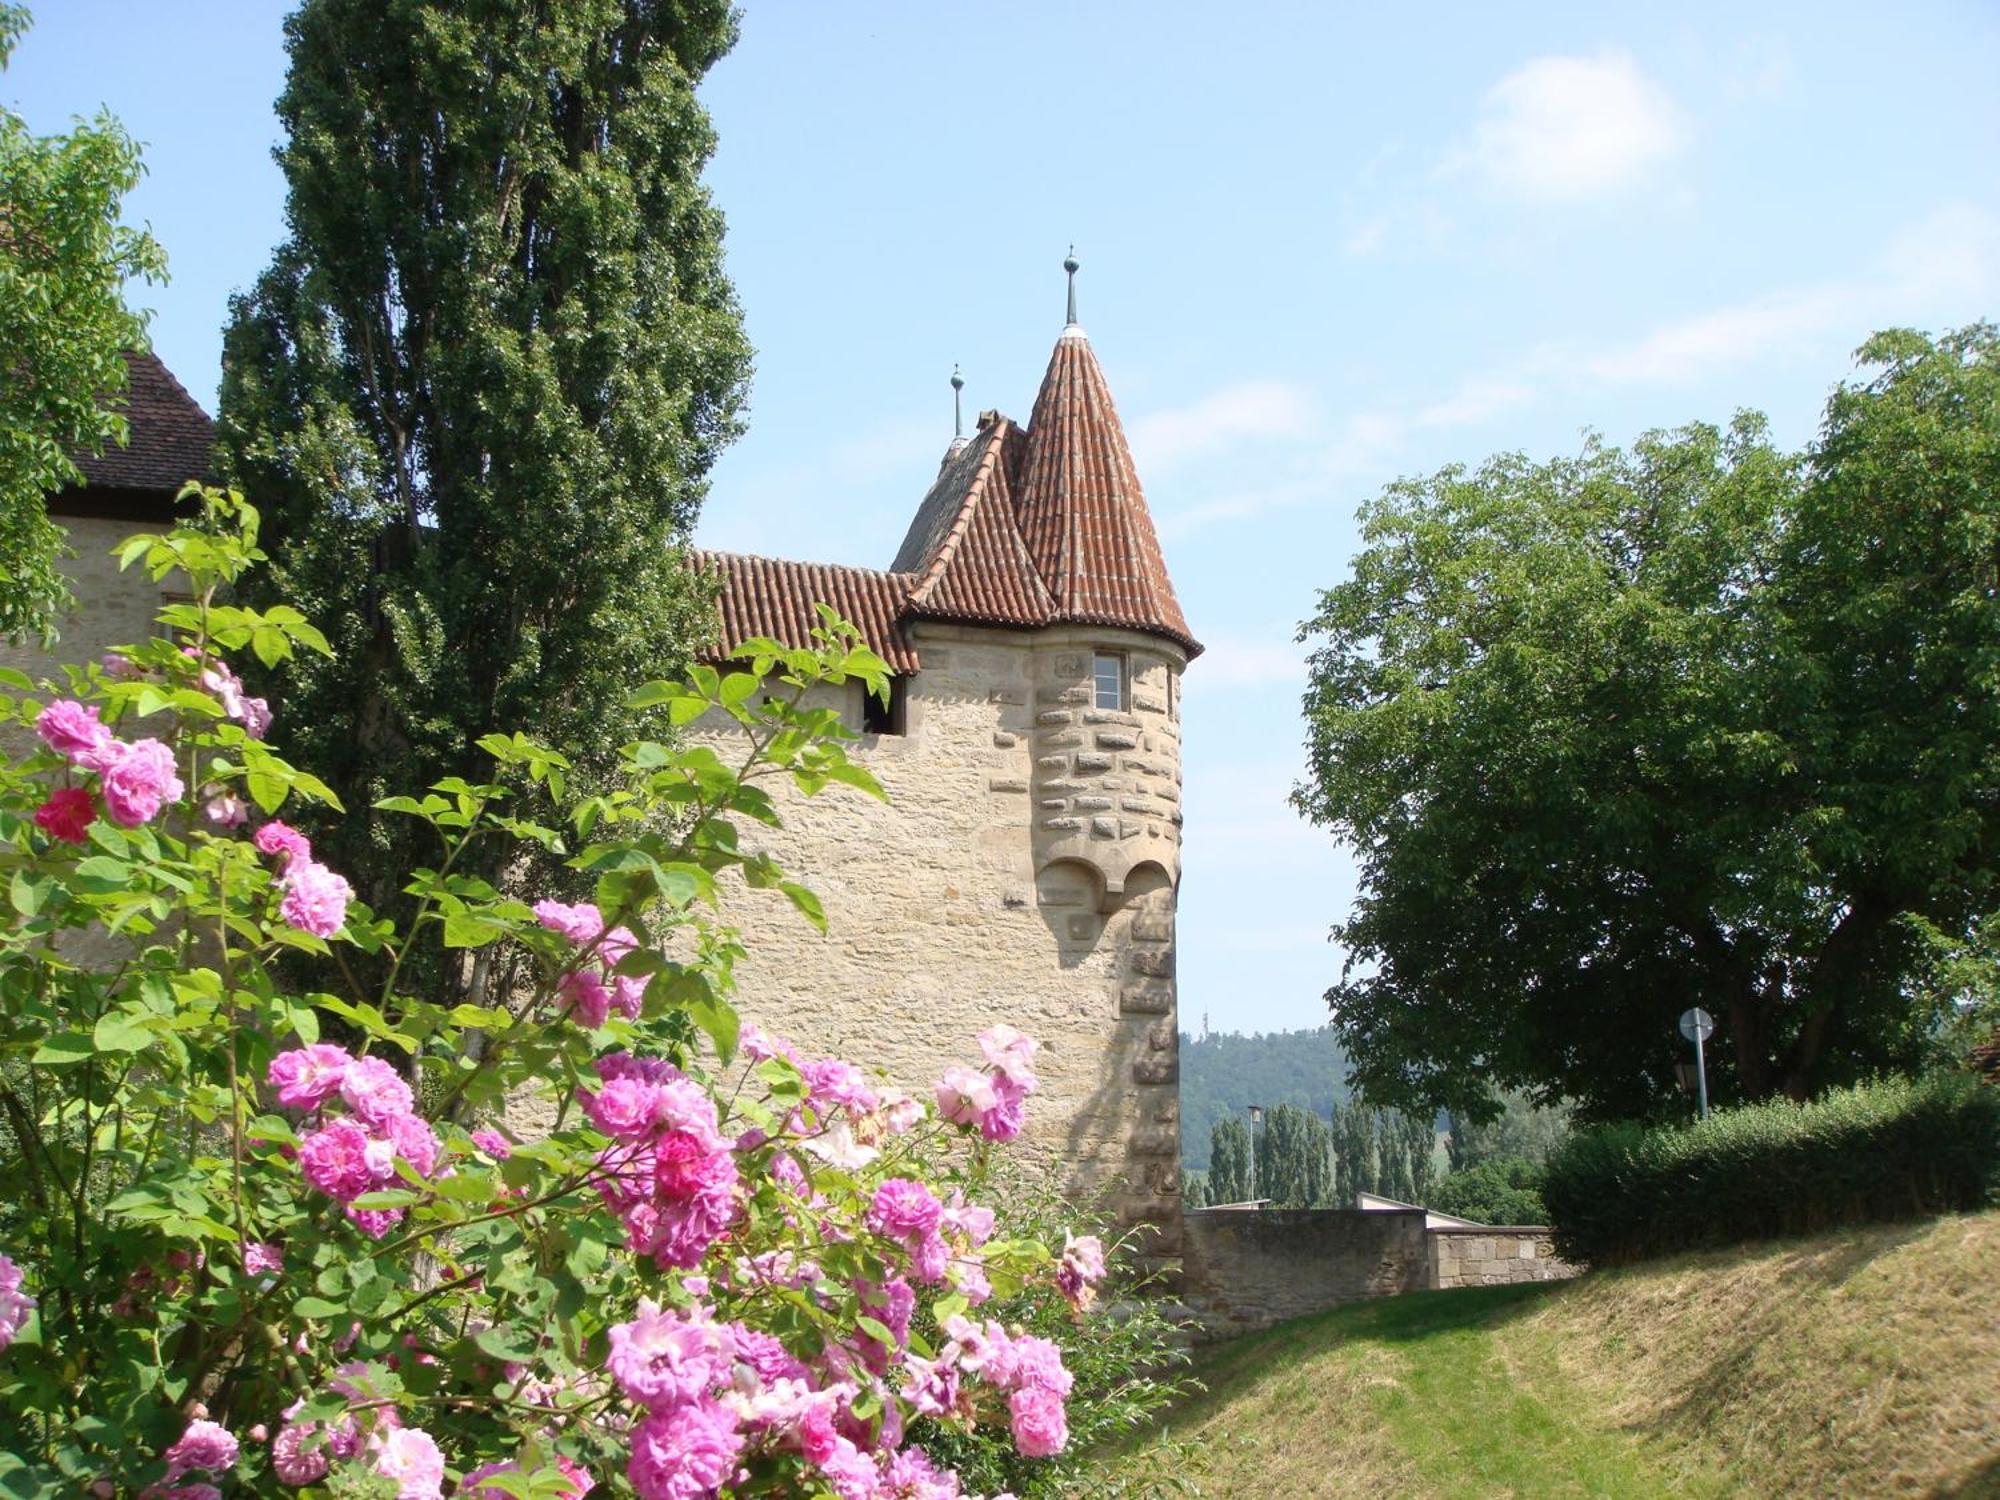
{"x":65,"y":329}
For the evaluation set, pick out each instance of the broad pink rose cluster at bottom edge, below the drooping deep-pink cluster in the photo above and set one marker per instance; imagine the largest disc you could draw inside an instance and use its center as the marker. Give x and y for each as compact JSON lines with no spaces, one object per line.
{"x":721,"y":1395}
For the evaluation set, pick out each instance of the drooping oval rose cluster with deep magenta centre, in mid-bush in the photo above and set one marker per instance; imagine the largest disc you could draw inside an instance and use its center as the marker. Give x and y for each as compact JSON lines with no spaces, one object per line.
{"x":671,"y":1173}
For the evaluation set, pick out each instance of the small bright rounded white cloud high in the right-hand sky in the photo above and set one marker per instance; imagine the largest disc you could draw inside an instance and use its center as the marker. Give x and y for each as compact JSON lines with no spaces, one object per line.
{"x":1571,"y":127}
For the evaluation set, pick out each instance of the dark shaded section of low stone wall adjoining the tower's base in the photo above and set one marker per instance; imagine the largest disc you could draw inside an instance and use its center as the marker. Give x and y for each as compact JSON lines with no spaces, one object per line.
{"x":1251,"y":1269}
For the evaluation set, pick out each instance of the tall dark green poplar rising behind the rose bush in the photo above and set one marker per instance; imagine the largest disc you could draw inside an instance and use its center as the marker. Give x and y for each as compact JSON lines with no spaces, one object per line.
{"x":483,"y":381}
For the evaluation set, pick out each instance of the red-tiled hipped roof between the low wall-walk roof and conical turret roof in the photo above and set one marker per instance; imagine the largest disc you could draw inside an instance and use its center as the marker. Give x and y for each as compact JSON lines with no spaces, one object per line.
{"x":965,"y":545}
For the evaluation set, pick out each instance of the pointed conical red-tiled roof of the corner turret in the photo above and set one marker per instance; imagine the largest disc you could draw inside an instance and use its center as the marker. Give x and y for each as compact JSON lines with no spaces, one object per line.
{"x":1083,"y":511}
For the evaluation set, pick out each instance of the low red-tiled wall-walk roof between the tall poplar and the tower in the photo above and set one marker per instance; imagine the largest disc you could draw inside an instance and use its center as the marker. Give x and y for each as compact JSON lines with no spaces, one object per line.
{"x":769,"y":597}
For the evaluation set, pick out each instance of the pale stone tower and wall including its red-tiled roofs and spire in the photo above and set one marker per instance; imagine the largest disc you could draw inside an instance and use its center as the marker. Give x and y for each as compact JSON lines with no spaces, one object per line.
{"x":1027,"y":865}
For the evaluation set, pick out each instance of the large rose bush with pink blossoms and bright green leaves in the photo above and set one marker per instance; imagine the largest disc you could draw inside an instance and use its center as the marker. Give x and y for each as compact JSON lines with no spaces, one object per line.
{"x":263,"y":1239}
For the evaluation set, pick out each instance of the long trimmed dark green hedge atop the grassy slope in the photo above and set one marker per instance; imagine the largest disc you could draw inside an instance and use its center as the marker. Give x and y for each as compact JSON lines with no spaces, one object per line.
{"x":1883,"y":1151}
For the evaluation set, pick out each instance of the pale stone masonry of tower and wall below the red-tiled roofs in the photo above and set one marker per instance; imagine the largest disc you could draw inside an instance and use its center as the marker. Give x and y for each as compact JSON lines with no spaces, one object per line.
{"x":1023,"y":871}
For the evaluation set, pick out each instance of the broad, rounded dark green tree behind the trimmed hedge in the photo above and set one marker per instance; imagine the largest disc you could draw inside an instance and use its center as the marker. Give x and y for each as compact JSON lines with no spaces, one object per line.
{"x":1703,"y":723}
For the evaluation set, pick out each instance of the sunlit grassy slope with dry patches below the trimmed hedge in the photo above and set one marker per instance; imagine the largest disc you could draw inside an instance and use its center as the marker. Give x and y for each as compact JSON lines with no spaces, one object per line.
{"x":1859,"y":1363}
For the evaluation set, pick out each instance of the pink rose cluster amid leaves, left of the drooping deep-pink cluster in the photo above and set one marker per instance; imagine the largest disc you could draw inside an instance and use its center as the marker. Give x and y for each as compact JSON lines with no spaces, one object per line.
{"x":355,"y":1153}
